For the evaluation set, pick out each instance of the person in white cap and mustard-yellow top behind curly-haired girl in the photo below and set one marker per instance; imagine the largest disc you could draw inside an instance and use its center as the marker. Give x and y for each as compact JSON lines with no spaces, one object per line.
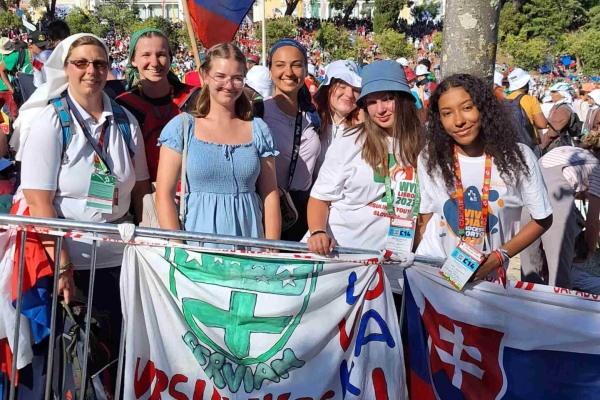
{"x":518,"y":86}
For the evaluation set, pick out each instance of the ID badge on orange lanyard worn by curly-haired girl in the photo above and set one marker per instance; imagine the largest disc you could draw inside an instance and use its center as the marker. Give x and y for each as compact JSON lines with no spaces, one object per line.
{"x":466,"y":258}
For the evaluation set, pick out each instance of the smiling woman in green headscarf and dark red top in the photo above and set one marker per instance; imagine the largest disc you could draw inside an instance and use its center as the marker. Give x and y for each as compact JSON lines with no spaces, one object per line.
{"x":154,"y":93}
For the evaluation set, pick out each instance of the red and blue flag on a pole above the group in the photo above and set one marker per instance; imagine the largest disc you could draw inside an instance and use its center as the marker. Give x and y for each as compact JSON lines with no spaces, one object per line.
{"x":217,"y":21}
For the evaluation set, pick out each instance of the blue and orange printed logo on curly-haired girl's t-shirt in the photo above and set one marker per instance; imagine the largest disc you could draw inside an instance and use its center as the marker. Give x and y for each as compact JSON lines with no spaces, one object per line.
{"x":474,"y":231}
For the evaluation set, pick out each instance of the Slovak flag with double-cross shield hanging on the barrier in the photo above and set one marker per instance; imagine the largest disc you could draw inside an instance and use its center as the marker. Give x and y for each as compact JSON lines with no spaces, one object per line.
{"x":523,"y":342}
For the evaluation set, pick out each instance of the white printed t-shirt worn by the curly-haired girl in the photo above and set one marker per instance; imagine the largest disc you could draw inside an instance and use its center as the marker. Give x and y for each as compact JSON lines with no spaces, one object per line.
{"x":505,"y":204}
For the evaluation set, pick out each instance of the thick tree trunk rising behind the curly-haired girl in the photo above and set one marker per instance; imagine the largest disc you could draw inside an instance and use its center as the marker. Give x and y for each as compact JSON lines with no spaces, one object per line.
{"x":470,"y":37}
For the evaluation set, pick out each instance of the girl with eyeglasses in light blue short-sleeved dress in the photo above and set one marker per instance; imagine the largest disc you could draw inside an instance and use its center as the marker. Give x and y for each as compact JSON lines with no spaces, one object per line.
{"x":230,"y":185}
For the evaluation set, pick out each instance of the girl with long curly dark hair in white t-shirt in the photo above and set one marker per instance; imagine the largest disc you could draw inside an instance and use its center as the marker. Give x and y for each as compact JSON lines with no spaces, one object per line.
{"x":475,"y":178}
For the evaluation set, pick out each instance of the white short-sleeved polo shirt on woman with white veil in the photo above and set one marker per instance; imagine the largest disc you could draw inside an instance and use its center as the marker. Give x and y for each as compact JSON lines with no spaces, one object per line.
{"x":45,"y":168}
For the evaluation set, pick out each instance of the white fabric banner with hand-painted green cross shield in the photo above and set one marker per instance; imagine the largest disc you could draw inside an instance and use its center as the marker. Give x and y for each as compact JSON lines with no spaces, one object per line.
{"x":225,"y":325}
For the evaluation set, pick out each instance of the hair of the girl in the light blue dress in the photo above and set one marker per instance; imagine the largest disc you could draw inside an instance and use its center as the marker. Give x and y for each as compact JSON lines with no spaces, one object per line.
{"x":227,"y":51}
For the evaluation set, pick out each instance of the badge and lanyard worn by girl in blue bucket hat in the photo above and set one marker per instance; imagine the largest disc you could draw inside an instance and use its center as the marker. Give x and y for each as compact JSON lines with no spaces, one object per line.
{"x":401,"y":233}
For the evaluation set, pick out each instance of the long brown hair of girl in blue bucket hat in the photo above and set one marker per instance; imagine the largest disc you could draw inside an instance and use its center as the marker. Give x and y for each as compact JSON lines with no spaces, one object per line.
{"x":407,"y":136}
